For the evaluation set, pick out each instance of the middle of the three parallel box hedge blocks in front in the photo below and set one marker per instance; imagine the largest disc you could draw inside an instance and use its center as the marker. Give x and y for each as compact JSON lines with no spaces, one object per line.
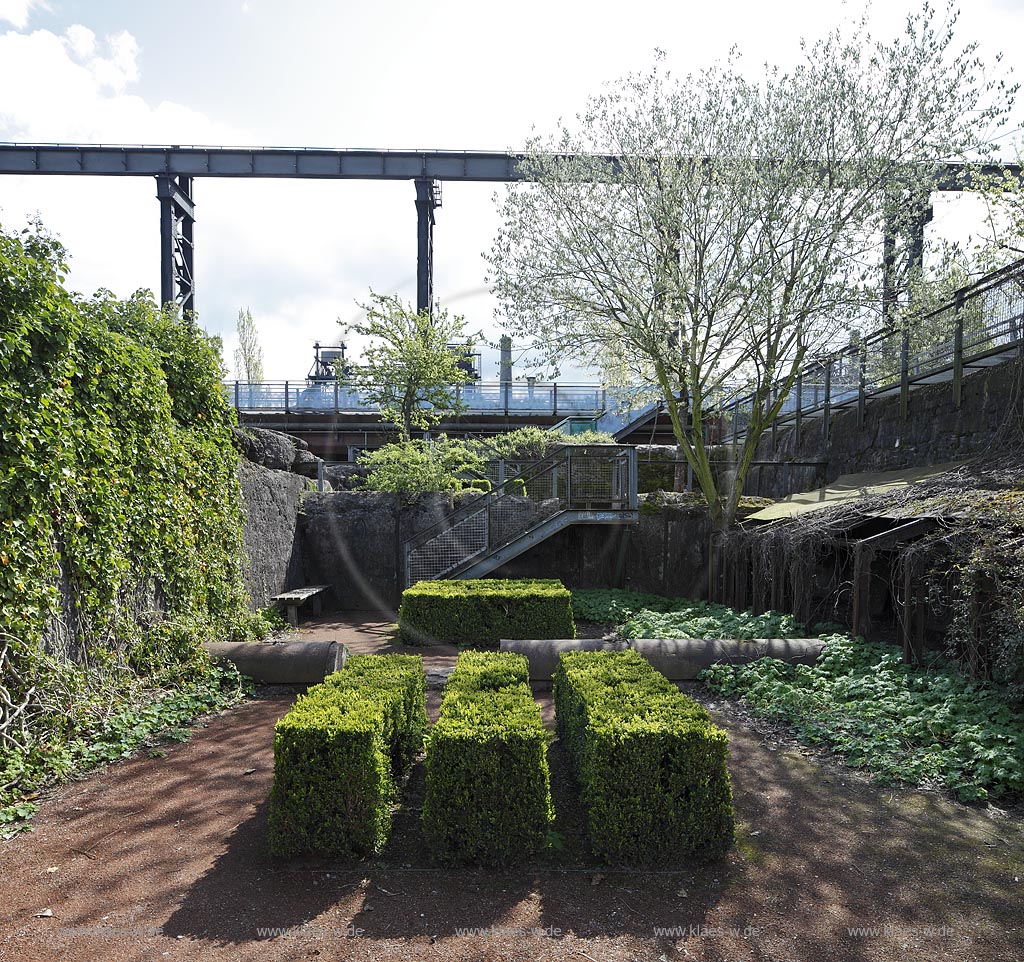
{"x":489,"y":793}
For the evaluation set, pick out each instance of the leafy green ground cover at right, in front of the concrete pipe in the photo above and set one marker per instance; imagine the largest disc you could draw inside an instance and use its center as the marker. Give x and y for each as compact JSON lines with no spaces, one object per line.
{"x":925,"y":726}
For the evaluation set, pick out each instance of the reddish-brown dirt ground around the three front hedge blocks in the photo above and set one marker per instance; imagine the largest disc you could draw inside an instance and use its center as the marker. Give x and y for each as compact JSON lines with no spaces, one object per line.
{"x":164,"y":858}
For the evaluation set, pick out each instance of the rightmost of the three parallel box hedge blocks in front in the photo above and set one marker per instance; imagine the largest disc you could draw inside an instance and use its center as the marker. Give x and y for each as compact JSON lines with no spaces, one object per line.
{"x":652,"y":766}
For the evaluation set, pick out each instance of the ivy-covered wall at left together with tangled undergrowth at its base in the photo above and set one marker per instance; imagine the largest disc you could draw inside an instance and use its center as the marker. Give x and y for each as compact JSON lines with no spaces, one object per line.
{"x":121,"y":521}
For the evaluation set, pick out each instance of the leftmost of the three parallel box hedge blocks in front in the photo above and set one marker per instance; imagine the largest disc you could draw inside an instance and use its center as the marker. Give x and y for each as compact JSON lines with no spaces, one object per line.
{"x":339,"y":754}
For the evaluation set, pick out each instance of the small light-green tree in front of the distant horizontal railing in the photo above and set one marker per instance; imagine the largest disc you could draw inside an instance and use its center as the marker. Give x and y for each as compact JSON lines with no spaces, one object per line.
{"x":410,"y":369}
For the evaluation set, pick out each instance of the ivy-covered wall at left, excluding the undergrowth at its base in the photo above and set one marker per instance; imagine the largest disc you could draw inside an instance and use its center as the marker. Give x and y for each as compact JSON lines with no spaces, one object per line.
{"x":119,"y":496}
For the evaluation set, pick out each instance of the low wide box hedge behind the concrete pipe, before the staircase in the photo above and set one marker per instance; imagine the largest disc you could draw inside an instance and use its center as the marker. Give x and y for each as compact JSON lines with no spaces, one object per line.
{"x":486,"y":611}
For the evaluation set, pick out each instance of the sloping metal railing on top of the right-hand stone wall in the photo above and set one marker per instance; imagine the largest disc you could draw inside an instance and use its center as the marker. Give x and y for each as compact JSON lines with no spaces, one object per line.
{"x":982,"y":326}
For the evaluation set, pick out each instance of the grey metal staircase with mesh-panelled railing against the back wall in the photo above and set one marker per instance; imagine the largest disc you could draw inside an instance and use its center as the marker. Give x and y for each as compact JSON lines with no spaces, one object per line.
{"x":576,"y":485}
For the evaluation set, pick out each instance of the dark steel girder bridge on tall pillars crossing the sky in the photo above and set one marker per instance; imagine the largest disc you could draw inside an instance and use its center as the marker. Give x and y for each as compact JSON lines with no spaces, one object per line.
{"x":177,"y":169}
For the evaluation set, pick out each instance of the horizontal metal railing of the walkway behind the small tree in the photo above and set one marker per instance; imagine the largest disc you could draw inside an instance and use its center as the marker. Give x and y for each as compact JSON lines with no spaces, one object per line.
{"x":516,"y":398}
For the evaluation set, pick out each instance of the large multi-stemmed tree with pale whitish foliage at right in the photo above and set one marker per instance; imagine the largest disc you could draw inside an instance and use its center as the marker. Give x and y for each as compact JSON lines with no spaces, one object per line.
{"x":709,"y":235}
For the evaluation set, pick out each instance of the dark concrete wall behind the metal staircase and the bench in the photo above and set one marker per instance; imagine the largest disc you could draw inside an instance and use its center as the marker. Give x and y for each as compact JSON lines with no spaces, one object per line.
{"x":353,"y":541}
